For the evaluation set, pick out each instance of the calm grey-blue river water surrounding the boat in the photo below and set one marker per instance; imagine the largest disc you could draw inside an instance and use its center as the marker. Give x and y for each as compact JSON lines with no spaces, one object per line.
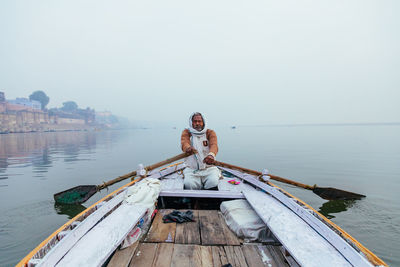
{"x":363,"y":159}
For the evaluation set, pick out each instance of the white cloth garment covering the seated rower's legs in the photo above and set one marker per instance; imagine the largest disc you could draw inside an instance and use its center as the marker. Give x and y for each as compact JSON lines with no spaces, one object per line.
{"x":201,"y":179}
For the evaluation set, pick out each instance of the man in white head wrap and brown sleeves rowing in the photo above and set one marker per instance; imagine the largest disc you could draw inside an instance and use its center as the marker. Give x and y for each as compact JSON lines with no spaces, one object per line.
{"x":202,"y":142}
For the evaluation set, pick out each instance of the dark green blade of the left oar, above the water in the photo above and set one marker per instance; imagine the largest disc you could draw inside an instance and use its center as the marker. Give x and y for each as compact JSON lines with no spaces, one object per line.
{"x":75,"y":195}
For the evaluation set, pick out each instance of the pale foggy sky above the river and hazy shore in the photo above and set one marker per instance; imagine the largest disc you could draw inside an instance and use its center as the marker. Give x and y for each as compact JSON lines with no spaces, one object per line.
{"x":239,"y":62}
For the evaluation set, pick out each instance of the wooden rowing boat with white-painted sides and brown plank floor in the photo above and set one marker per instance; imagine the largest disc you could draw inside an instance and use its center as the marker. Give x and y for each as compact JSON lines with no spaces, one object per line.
{"x":297,"y":234}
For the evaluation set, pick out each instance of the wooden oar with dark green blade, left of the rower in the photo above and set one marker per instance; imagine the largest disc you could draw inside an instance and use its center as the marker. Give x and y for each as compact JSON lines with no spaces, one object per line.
{"x":81,"y":193}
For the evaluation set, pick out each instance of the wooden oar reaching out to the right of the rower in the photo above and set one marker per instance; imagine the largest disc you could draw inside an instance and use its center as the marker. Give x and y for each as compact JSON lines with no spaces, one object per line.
{"x":329,"y":193}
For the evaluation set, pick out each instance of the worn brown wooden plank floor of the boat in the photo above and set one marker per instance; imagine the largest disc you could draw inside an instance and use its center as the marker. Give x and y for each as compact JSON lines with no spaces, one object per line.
{"x":206,"y":242}
